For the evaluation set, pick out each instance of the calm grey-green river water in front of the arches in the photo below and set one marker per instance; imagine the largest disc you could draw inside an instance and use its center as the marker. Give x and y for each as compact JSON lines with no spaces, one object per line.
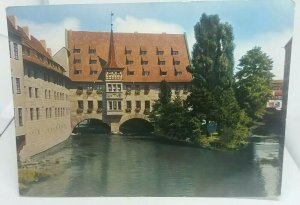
{"x":104,"y":165}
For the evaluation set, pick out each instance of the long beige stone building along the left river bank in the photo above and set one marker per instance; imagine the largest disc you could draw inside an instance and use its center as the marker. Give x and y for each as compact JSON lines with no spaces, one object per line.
{"x":41,"y":94}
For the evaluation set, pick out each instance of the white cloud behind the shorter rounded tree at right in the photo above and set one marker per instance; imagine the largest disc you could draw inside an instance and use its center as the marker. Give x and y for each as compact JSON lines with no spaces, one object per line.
{"x":272,"y":44}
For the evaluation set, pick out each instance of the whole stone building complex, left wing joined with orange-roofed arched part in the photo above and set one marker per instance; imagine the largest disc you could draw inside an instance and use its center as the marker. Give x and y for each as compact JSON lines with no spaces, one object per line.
{"x":112,"y":77}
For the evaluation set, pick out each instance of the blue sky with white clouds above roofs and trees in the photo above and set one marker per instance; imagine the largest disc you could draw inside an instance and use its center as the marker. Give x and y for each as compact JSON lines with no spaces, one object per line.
{"x":268,"y":23}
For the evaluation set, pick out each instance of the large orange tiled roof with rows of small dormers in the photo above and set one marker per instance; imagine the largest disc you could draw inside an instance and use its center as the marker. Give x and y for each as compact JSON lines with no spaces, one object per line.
{"x":134,"y":42}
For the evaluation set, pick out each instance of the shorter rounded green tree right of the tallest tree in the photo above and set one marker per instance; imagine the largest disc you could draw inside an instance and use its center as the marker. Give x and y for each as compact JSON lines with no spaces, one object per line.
{"x":253,"y":82}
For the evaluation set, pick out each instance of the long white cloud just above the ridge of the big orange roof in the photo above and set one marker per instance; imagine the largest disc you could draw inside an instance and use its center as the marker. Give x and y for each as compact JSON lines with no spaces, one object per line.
{"x":131,"y":24}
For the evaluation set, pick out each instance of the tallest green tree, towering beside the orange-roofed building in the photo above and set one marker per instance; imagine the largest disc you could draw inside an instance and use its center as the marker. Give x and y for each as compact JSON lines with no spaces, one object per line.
{"x":212,"y":96}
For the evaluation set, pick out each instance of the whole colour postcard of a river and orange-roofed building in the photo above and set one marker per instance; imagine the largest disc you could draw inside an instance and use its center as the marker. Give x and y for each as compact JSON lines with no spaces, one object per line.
{"x":151,"y":99}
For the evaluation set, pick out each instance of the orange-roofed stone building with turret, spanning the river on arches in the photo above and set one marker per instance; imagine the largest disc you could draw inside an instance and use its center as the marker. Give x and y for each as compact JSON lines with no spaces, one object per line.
{"x":116,"y":76}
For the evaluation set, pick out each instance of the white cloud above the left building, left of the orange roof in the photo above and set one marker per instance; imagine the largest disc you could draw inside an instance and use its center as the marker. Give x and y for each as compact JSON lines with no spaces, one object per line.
{"x":53,"y":33}
